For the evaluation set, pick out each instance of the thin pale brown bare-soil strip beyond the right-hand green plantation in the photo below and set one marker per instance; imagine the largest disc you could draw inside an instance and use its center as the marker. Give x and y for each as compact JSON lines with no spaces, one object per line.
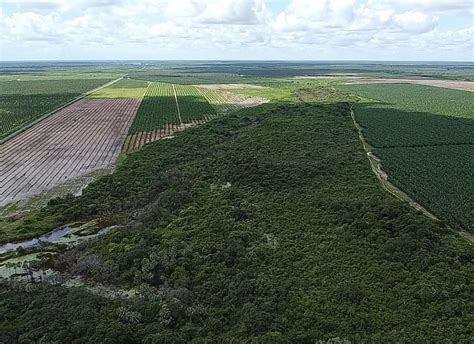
{"x":452,"y":84}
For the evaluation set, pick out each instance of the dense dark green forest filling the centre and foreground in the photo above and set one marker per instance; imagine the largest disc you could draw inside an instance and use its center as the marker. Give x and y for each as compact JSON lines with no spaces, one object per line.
{"x":264,"y":226}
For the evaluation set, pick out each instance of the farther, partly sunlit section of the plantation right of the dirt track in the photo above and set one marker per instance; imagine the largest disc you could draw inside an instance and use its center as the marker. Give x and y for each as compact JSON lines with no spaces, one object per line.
{"x":413,"y":115}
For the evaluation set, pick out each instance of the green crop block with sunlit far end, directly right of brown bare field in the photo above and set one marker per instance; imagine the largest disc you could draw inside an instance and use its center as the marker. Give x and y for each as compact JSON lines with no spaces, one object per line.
{"x":157,"y":109}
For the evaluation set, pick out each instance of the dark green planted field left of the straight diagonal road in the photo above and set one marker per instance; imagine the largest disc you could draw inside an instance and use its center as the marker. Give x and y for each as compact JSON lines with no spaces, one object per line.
{"x":25,"y":98}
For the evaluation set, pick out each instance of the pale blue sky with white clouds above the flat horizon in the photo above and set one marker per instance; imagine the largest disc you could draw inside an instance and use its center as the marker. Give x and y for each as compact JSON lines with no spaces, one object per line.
{"x":394,"y":30}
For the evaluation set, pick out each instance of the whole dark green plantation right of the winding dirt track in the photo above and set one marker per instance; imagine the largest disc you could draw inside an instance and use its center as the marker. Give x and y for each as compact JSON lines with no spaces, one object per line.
{"x":425,"y":137}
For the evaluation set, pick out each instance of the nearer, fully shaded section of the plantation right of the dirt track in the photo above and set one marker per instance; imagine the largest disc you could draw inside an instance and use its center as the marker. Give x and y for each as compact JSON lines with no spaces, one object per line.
{"x":440,"y":178}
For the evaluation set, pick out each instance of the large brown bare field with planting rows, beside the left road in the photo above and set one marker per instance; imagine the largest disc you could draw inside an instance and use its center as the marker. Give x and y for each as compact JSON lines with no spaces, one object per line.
{"x":83,"y":137}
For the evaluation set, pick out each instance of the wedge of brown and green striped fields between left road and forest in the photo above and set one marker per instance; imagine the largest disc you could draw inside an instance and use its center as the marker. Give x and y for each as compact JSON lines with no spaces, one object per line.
{"x":90,"y":134}
